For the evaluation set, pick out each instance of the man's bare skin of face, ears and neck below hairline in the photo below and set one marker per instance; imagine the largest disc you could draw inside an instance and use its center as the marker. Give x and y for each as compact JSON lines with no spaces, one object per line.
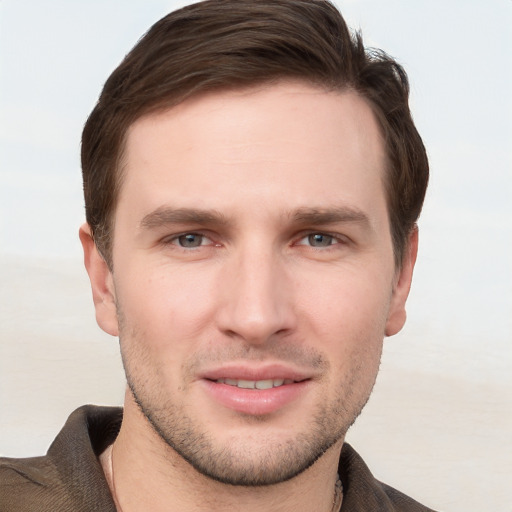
{"x":251,"y":240}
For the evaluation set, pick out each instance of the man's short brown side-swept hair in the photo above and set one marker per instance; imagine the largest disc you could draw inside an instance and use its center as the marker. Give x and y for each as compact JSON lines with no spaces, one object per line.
{"x":218,"y":44}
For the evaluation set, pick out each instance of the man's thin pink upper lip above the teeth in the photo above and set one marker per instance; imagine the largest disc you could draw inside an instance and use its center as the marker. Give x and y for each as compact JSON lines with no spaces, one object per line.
{"x":246,"y":372}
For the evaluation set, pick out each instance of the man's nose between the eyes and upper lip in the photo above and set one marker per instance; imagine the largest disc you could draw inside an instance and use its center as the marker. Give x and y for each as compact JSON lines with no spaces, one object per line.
{"x":257,"y":298}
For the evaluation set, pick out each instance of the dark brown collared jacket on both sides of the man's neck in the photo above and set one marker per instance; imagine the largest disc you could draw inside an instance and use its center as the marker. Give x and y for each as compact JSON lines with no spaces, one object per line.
{"x":69,"y":478}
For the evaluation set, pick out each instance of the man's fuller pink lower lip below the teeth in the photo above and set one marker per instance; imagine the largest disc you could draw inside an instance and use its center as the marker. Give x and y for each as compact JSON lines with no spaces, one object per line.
{"x":255,"y":401}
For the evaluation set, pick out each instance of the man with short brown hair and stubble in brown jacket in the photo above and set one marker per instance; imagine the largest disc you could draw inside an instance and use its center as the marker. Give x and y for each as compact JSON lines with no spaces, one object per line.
{"x":252,"y":183}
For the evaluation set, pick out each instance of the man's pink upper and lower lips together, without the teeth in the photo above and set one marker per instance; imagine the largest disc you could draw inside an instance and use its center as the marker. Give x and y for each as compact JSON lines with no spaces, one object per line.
{"x":253,"y":401}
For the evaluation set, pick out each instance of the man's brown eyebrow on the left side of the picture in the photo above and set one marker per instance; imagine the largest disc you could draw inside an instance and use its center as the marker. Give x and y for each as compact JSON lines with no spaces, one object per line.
{"x":168,"y":215}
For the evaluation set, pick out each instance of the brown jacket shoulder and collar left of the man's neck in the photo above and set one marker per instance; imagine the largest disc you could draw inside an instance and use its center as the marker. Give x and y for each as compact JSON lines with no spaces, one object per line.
{"x":69,"y":477}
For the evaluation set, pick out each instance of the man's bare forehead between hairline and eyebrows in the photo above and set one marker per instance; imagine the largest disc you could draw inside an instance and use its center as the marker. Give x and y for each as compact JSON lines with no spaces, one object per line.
{"x":256,"y":144}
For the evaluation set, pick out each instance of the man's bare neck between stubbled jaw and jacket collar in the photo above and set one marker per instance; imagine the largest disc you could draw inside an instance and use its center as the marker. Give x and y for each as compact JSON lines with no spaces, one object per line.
{"x":144,"y":473}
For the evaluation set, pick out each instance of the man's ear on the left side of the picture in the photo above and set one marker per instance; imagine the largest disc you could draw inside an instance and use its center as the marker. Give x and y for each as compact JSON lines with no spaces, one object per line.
{"x":102,"y":283}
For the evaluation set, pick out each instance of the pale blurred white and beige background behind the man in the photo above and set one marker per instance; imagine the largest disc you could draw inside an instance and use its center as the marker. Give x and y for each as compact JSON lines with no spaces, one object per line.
{"x":439,"y":423}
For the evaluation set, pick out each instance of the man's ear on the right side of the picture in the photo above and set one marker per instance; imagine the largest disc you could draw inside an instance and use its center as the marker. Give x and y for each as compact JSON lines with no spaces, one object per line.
{"x":397,"y":314}
